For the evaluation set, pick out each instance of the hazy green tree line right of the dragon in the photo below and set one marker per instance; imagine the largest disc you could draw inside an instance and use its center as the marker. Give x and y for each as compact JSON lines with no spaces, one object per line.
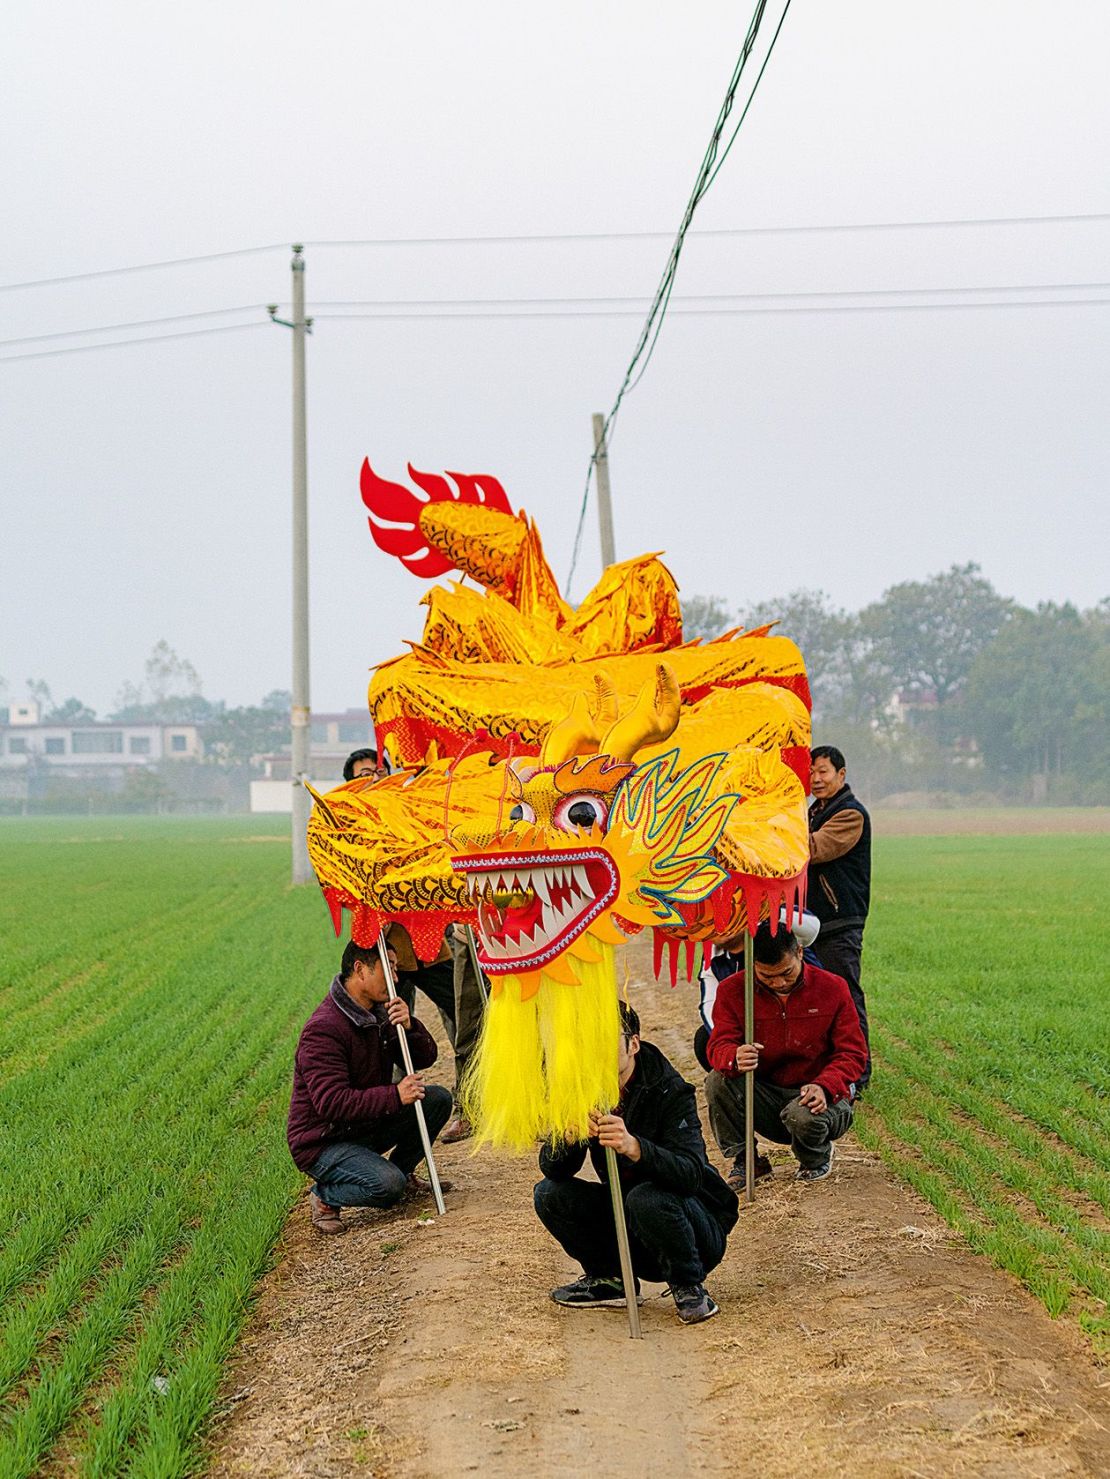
{"x":947,"y":687}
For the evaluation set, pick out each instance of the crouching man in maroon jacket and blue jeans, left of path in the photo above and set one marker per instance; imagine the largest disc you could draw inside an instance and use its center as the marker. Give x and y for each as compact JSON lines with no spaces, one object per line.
{"x":347,"y":1111}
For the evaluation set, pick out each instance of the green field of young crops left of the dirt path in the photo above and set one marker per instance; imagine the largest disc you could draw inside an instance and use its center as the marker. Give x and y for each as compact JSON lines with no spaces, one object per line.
{"x":156,"y":978}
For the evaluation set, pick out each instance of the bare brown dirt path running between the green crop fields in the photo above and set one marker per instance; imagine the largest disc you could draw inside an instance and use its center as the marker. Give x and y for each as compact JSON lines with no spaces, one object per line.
{"x":857,"y":1338}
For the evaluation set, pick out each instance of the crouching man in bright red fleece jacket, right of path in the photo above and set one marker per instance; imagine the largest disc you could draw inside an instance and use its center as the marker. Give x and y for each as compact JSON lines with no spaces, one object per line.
{"x":808,"y":1055}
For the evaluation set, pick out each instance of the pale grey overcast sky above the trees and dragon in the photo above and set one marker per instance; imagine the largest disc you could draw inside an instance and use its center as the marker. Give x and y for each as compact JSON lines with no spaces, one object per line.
{"x":147,"y":489}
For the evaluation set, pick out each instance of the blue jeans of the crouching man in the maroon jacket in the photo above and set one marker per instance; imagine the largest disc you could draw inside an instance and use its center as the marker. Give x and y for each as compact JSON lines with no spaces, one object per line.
{"x":355,"y":1172}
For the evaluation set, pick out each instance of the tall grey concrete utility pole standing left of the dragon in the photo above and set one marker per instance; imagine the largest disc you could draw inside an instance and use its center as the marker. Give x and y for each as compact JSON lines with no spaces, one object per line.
{"x":302,"y":706}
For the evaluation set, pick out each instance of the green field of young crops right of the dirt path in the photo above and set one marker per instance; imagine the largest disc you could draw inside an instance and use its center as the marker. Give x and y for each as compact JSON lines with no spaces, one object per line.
{"x":988,"y":981}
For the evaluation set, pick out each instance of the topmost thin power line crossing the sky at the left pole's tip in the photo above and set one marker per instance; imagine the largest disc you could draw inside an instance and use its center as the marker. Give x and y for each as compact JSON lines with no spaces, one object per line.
{"x":556,"y":237}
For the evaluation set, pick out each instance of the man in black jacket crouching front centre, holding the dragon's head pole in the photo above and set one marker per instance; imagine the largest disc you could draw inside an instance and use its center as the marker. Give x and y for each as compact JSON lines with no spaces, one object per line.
{"x":679,"y":1209}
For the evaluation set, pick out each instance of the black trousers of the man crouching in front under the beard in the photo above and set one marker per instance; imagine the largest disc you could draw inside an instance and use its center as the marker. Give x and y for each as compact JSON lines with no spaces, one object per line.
{"x":673,"y":1240}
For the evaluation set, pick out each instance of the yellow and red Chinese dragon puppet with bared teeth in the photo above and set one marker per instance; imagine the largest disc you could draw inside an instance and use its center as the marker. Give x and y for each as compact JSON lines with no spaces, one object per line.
{"x":565,"y":780}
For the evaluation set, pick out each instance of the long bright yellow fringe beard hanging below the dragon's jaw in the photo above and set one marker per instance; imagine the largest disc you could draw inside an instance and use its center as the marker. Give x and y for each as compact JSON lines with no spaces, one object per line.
{"x":548,"y":1061}
